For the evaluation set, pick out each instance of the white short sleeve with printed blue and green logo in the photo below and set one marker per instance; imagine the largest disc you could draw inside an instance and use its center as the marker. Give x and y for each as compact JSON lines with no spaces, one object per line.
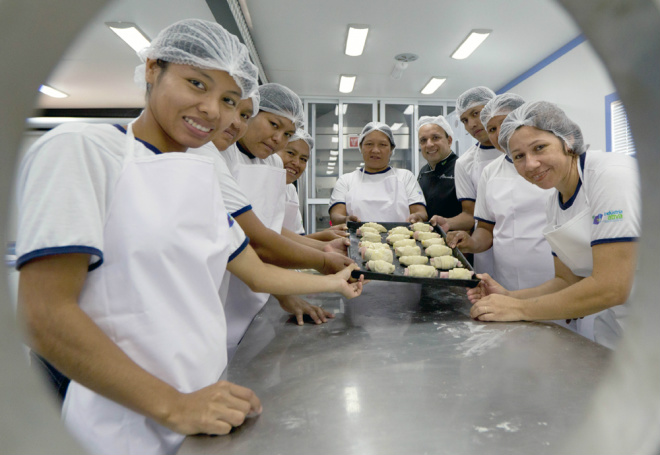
{"x":614,"y":200}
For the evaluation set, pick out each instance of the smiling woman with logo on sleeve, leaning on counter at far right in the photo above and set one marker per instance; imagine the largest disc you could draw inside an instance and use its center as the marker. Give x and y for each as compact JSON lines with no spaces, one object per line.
{"x":593,"y":223}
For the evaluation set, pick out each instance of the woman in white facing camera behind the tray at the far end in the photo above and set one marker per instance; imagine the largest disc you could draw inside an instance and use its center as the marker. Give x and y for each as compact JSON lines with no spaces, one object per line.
{"x":377,"y":192}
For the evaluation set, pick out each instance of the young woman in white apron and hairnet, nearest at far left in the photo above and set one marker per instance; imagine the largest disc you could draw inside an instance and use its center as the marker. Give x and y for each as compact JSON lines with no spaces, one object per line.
{"x":123,"y":241}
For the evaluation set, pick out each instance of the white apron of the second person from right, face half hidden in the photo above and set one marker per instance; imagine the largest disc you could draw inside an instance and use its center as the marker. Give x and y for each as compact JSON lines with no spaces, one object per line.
{"x":522,"y":258}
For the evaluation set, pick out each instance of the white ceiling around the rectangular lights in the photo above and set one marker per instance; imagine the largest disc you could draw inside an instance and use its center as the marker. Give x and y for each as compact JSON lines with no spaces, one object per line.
{"x":301,"y":44}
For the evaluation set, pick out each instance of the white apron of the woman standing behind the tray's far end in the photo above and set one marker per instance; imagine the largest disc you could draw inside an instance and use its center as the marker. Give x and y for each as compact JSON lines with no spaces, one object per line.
{"x":385,"y":200}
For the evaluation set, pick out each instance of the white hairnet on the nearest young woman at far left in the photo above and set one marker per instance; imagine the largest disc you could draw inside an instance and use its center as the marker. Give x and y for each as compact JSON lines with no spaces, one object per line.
{"x":205,"y":45}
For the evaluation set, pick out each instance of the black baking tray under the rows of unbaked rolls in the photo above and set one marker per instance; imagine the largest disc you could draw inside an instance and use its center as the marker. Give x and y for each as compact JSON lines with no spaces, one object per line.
{"x":354,"y":253}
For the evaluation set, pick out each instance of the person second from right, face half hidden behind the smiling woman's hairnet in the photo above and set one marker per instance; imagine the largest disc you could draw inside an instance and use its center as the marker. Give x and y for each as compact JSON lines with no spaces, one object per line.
{"x":510,"y":213}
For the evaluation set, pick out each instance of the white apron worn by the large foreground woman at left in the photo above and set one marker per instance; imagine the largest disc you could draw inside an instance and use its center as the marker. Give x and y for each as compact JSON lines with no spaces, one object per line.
{"x":156,"y":295}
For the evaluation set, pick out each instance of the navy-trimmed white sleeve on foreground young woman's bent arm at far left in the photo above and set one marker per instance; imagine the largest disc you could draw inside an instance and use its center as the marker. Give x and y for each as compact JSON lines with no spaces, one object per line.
{"x":62,"y":192}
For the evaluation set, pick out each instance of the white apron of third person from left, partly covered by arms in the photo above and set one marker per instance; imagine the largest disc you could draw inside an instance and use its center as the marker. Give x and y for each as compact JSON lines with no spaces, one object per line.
{"x":265,"y":187}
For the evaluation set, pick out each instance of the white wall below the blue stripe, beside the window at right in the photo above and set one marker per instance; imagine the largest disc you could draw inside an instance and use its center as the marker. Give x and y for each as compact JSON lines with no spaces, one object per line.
{"x":578,"y":83}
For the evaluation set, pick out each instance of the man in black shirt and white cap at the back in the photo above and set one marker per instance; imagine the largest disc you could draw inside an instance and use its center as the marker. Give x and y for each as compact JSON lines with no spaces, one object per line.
{"x":437,"y":177}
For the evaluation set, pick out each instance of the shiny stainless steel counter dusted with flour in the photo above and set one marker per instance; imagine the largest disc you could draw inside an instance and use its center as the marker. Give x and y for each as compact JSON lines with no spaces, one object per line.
{"x":403,"y":369}
